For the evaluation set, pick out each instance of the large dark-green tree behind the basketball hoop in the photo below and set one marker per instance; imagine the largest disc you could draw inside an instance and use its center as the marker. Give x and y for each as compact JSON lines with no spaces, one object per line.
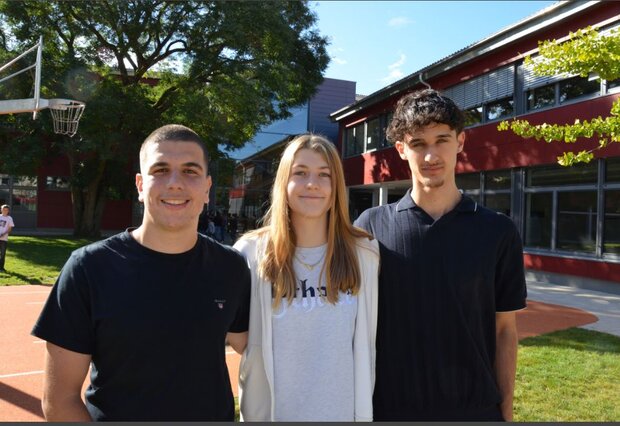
{"x":224,"y":68}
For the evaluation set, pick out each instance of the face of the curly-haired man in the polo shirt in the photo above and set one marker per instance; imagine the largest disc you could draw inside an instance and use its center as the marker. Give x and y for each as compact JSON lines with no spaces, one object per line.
{"x":431,"y":153}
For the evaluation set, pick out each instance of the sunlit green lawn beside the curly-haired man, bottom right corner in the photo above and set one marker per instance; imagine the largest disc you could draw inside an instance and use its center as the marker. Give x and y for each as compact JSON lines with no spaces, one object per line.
{"x":568,"y":376}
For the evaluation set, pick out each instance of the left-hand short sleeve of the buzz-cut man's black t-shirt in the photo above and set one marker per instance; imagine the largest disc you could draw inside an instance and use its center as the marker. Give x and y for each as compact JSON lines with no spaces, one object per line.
{"x":66,"y":318}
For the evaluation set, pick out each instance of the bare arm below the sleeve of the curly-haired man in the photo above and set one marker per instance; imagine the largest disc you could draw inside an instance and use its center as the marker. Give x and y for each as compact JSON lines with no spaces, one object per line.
{"x":506,"y":359}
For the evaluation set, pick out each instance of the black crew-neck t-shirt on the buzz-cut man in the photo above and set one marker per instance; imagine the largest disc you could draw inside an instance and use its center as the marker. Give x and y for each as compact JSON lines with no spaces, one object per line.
{"x":155,"y":325}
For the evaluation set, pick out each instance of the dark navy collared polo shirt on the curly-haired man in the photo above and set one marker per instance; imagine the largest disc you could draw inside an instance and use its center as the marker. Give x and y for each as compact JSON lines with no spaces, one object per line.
{"x":440,"y":285}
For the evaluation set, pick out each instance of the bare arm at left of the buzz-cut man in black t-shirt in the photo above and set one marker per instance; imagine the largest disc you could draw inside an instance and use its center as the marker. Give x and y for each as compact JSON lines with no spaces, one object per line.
{"x":65,"y":372}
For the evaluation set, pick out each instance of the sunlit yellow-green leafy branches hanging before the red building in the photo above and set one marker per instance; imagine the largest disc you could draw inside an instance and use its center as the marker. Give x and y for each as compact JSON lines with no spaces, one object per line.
{"x":586,"y":52}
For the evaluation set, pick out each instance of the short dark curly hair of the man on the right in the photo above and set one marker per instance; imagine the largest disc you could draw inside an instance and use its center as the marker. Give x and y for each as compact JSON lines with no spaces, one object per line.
{"x":419,"y":109}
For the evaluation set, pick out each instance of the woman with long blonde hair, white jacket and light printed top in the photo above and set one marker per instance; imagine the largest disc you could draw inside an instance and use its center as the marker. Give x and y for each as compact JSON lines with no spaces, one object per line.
{"x":311,"y":349}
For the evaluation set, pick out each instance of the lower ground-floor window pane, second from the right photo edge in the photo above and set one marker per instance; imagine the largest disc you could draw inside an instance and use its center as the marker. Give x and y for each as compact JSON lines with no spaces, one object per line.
{"x":577,"y":221}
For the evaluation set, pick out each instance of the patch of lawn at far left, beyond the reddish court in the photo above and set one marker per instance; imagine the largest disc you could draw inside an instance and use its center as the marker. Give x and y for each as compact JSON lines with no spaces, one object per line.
{"x":37,"y":260}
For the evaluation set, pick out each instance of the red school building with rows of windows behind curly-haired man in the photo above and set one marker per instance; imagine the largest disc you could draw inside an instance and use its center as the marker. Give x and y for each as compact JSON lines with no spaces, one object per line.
{"x":569,"y":217}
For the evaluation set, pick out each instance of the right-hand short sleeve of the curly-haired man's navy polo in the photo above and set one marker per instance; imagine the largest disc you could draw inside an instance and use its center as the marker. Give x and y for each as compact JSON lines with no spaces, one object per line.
{"x":510,"y":288}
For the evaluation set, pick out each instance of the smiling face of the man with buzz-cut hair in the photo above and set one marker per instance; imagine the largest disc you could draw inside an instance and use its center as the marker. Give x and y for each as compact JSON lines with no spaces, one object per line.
{"x":173,"y":185}
